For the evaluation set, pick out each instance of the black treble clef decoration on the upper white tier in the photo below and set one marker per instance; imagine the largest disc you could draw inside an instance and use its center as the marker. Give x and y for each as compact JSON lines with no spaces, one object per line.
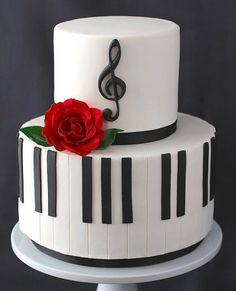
{"x":115,"y":83}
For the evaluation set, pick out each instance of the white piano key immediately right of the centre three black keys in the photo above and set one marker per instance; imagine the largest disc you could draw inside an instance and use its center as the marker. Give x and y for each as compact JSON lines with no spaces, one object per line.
{"x":137,"y":231}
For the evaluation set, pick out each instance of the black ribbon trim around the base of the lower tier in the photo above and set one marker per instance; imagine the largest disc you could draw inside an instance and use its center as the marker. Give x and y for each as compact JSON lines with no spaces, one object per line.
{"x":117,"y":263}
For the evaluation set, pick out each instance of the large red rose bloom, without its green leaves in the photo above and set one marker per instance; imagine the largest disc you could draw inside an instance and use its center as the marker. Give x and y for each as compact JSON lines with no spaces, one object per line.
{"x":72,"y":125}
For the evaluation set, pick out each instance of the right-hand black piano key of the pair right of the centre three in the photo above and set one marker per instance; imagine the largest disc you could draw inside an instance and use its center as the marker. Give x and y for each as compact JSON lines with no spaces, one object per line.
{"x":181,"y":183}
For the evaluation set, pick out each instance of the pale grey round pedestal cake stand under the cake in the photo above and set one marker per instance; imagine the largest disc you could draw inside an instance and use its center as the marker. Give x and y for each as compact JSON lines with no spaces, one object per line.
{"x":115,"y":279}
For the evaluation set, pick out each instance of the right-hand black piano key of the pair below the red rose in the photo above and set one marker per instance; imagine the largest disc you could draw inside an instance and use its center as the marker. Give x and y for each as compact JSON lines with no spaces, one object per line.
{"x":52,"y":183}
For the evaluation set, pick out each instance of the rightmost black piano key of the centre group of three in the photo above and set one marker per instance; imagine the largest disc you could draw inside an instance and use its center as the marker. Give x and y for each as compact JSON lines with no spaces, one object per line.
{"x":126,"y":177}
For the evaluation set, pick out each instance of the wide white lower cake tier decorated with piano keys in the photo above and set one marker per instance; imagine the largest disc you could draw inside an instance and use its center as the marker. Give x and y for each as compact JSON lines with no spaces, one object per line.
{"x":122,"y":203}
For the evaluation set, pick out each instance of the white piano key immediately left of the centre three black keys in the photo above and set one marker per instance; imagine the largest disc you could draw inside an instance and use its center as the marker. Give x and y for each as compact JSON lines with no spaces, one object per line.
{"x":78,"y":229}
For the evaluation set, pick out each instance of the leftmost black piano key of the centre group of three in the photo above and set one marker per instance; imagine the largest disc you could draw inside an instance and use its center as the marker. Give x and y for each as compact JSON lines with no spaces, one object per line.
{"x":87,"y":189}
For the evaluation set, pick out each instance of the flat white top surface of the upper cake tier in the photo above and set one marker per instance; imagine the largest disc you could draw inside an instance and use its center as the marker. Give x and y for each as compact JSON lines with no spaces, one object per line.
{"x":119,"y":26}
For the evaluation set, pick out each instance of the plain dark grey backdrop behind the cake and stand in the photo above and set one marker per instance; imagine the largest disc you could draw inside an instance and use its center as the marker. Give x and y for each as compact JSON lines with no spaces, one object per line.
{"x":207,"y":89}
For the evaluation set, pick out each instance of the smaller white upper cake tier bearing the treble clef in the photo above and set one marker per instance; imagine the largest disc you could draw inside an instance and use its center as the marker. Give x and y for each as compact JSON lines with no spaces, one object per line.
{"x":125,"y":66}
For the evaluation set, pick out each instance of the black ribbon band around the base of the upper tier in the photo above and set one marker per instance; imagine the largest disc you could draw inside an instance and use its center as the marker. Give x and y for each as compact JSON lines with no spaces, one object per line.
{"x":126,"y":138}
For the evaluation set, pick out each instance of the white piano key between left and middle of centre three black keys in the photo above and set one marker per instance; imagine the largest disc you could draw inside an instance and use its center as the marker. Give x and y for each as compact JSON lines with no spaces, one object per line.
{"x":97,"y":232}
